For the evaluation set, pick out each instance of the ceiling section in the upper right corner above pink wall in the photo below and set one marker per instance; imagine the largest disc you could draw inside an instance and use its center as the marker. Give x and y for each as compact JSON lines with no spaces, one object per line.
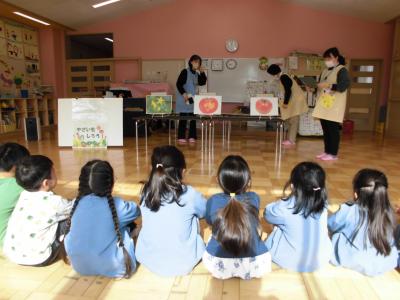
{"x":377,"y":10}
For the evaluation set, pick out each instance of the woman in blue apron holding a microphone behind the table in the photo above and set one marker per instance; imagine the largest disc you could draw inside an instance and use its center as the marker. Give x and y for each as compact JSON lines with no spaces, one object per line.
{"x":186,"y":85}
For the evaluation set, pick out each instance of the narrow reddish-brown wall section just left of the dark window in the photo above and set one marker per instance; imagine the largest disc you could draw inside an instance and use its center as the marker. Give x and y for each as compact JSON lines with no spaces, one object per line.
{"x":52,"y":60}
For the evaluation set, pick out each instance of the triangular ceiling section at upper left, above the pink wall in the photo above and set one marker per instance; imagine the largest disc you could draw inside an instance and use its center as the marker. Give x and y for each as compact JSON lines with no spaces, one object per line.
{"x":77,"y":13}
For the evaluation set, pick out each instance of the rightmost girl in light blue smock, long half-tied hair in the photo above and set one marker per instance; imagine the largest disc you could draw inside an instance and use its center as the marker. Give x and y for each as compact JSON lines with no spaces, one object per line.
{"x":363,"y":229}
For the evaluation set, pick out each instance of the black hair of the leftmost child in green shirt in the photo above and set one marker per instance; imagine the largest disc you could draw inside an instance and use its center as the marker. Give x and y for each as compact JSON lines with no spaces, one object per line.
{"x":10,"y":155}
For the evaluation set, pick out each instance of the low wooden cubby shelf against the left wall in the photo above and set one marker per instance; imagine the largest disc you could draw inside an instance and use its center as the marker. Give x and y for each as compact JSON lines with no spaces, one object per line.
{"x":13,"y":111}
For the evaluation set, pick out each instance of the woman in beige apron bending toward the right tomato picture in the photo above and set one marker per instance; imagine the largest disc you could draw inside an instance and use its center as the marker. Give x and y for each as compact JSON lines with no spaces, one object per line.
{"x":293,"y":104}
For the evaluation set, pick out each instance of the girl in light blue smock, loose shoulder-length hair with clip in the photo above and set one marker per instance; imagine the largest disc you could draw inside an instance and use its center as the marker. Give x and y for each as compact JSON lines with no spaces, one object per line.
{"x":300,"y":240}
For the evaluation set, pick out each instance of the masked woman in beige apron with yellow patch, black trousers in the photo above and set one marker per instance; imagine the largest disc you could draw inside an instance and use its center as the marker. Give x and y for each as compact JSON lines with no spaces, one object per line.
{"x":331,"y":101}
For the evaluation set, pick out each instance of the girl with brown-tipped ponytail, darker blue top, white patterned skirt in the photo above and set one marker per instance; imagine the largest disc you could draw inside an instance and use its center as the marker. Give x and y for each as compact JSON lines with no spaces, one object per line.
{"x":235,"y":248}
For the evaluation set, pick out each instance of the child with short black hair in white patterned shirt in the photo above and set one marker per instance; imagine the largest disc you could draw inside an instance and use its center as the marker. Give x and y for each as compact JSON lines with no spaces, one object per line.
{"x":38,"y":222}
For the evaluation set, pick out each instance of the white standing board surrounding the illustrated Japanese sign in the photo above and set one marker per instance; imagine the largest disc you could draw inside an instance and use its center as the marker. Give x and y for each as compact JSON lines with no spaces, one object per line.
{"x":113,"y":107}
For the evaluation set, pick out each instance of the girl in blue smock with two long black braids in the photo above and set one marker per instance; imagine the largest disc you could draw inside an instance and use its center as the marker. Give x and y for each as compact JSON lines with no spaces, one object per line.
{"x":99,"y":240}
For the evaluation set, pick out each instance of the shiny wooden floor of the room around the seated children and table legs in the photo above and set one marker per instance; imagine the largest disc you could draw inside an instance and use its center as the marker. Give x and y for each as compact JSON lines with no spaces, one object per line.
{"x":361,"y":150}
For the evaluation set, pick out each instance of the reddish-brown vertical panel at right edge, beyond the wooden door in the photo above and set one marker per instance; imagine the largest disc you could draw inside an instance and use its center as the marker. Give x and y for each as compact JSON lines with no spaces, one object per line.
{"x":393,"y":107}
